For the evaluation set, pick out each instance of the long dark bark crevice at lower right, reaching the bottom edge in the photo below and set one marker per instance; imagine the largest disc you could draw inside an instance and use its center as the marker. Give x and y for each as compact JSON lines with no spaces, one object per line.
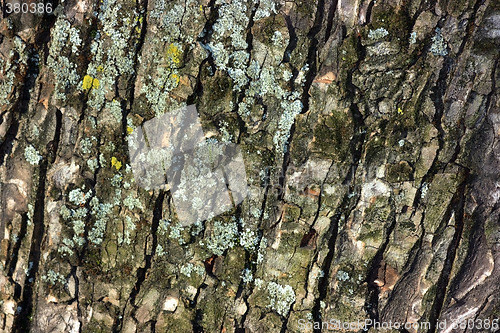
{"x":458,"y":203}
